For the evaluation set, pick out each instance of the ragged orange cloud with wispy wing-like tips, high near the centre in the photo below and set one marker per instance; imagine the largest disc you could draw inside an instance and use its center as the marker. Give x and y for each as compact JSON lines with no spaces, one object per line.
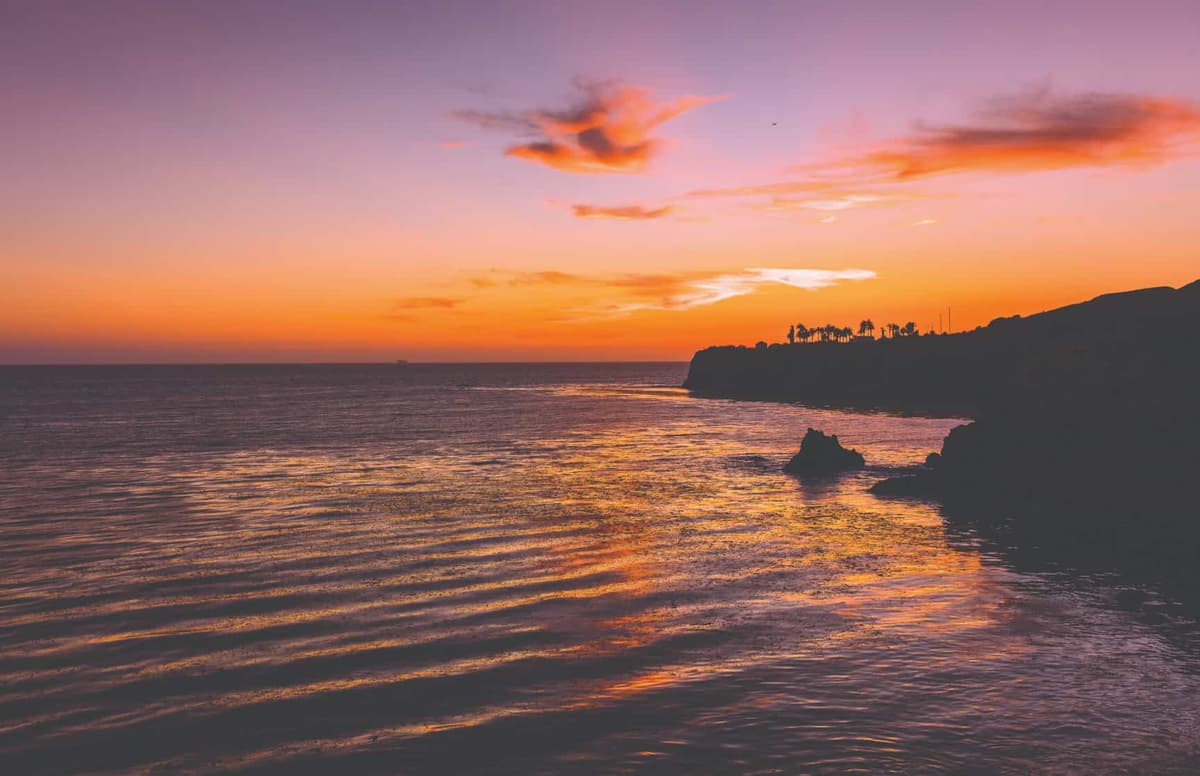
{"x":608,"y":131}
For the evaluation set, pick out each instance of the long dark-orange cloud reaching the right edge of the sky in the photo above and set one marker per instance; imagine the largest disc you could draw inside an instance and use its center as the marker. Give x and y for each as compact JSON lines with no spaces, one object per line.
{"x":1040,"y":131}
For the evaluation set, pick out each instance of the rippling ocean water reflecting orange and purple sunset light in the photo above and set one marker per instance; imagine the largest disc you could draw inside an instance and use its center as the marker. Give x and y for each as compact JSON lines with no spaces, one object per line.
{"x":529,"y":570}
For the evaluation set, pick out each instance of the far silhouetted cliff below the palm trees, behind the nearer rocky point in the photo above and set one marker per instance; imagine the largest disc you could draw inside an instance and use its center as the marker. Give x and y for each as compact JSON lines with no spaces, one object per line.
{"x":1114,"y":342}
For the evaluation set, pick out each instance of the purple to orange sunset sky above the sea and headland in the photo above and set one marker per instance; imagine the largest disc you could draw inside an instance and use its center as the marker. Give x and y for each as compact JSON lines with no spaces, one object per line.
{"x":541,"y":182}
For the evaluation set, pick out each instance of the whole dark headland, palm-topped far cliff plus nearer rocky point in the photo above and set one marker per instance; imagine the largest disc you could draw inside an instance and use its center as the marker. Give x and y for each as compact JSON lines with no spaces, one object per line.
{"x":1087,"y":418}
